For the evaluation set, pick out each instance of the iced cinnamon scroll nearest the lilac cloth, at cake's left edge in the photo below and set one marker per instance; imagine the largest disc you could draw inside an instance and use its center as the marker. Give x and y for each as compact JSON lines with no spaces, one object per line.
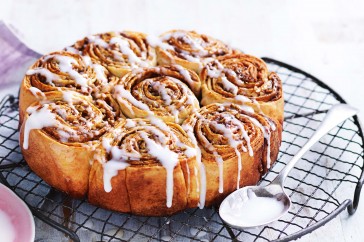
{"x":63,"y":71}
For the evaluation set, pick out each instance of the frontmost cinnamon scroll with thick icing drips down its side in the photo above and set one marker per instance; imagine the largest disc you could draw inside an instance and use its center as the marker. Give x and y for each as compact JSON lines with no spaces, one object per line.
{"x":145,"y":167}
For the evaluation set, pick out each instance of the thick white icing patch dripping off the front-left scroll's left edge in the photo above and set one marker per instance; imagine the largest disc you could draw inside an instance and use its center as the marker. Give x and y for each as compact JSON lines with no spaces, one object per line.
{"x":38,"y":119}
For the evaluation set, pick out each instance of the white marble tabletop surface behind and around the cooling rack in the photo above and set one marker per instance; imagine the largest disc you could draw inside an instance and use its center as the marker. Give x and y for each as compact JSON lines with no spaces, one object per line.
{"x":324,"y":38}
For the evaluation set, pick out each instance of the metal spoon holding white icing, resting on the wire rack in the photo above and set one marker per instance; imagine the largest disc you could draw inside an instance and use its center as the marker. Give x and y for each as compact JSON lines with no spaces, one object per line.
{"x":235,"y":202}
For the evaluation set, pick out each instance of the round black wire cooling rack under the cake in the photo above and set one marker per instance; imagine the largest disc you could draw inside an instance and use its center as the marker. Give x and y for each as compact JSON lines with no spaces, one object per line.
{"x":325,"y":182}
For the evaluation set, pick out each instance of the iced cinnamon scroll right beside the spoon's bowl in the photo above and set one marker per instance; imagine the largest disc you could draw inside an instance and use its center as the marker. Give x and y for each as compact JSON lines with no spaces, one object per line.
{"x":236,"y":146}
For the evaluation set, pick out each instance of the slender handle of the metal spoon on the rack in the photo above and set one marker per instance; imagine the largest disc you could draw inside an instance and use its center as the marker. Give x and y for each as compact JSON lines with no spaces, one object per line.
{"x":337,"y":114}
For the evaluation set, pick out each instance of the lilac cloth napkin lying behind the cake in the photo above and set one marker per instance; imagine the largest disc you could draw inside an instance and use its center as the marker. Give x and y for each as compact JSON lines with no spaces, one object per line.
{"x":15,"y":59}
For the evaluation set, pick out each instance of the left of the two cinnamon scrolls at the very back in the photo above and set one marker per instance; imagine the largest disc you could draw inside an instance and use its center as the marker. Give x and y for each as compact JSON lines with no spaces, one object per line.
{"x":119,"y":52}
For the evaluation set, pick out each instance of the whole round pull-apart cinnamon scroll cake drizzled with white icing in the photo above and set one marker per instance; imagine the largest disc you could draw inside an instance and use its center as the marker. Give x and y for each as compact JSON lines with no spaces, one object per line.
{"x":150,"y":125}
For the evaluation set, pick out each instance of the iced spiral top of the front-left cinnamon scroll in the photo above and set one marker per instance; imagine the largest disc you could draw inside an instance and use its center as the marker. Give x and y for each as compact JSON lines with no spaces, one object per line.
{"x":74,"y":118}
